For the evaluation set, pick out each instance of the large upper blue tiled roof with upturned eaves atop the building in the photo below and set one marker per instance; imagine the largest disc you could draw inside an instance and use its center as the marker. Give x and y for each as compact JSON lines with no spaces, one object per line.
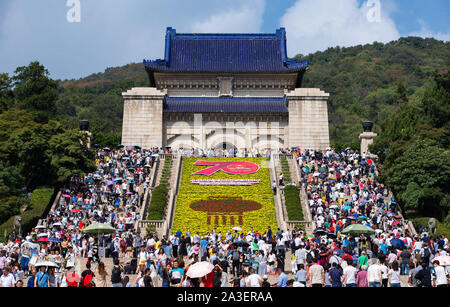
{"x":225,"y":53}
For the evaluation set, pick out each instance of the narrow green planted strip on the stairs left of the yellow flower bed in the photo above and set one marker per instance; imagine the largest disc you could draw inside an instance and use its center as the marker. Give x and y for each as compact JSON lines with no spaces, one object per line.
{"x":160,"y":193}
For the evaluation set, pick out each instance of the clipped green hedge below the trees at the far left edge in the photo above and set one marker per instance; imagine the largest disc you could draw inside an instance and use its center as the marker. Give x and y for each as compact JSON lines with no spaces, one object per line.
{"x":40,"y":204}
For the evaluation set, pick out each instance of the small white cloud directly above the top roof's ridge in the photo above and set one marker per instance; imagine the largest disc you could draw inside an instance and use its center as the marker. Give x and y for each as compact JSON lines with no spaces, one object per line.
{"x":244,"y":19}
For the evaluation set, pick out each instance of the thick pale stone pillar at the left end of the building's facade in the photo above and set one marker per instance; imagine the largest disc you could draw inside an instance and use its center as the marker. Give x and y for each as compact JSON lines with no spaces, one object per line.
{"x":143,"y":117}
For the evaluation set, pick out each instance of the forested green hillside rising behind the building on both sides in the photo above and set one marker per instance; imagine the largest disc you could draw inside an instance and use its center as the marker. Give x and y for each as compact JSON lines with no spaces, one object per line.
{"x":363,"y":82}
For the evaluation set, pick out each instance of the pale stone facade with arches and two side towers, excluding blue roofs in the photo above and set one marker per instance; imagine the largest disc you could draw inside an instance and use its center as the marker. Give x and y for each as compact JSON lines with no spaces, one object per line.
{"x":306,"y":125}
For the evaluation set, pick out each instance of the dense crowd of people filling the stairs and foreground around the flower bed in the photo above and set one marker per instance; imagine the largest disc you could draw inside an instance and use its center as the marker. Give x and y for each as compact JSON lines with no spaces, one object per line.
{"x":342,"y":190}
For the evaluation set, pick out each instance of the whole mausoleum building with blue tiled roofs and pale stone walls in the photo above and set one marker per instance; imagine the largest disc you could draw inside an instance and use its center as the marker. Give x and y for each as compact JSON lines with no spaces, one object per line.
{"x":226,"y":90}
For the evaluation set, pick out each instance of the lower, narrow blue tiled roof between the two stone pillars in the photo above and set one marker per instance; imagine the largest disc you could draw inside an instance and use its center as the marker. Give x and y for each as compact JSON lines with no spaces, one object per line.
{"x":225,"y":105}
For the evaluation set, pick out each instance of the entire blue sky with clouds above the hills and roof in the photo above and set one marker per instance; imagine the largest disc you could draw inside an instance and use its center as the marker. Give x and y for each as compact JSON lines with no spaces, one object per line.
{"x":116,"y":32}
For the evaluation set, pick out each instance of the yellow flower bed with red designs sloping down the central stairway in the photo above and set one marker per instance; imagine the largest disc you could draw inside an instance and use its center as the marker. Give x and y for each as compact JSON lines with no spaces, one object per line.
{"x":224,"y":200}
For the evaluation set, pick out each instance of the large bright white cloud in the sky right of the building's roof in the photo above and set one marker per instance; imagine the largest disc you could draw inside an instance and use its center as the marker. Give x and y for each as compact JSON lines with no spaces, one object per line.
{"x":315,"y":25}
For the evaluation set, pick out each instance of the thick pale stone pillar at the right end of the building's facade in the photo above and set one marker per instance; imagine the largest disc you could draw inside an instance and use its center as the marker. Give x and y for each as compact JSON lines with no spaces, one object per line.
{"x":308,"y":119}
